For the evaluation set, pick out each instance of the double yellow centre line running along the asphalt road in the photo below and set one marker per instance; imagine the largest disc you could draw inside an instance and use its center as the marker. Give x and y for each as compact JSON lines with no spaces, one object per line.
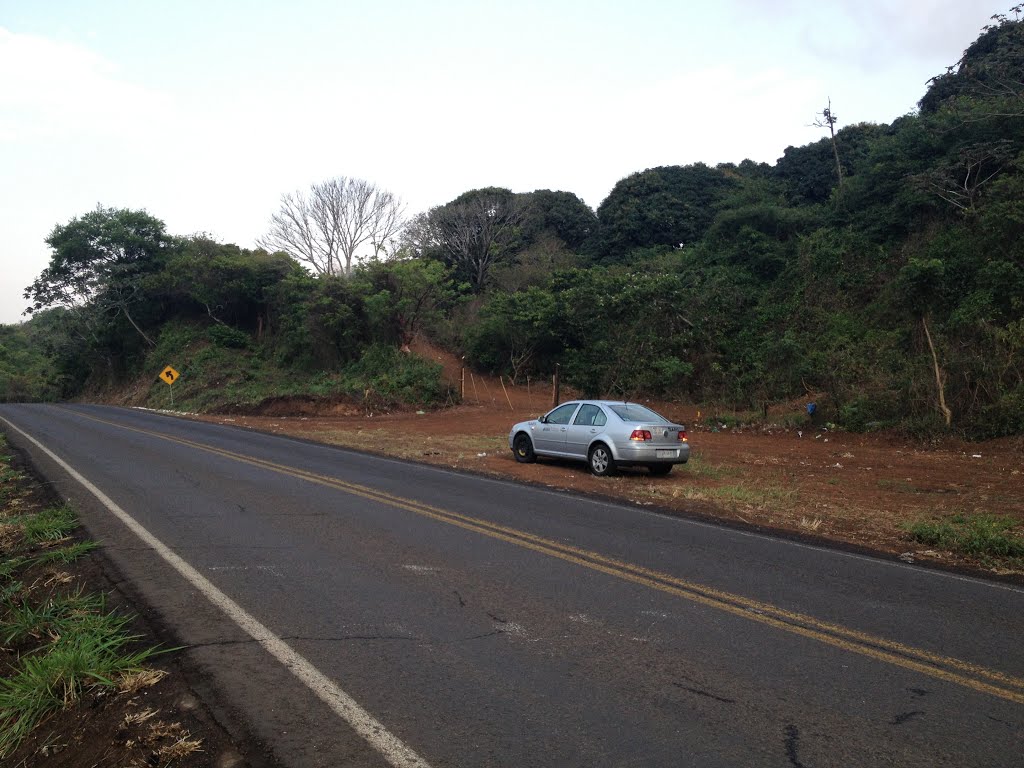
{"x":952,"y":670}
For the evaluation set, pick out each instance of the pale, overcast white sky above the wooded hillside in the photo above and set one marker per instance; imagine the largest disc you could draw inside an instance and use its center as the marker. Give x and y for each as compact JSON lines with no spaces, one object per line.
{"x":203,"y":113}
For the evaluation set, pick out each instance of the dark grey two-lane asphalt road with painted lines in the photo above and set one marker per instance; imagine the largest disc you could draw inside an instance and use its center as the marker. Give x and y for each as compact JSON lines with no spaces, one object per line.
{"x":394,"y":613}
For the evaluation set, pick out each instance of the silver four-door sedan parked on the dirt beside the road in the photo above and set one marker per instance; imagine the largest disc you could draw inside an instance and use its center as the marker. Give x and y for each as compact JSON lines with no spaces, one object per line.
{"x":607,"y":435}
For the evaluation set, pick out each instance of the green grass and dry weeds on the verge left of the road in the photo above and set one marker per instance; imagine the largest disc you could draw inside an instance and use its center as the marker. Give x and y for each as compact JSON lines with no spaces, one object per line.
{"x":60,"y":645}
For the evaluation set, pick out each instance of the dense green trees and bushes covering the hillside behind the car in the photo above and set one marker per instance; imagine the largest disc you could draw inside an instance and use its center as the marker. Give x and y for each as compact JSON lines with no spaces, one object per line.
{"x":879,"y":272}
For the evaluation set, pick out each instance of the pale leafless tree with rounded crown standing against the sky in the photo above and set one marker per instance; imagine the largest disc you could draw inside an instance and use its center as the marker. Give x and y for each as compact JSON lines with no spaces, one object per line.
{"x":335,"y":224}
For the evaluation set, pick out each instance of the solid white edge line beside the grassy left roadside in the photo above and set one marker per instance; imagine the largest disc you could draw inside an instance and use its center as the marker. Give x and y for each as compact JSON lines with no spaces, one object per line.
{"x":372,"y":731}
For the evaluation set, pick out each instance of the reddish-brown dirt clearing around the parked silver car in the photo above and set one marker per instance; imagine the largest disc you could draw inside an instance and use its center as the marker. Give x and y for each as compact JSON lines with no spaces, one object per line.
{"x":857,"y":490}
